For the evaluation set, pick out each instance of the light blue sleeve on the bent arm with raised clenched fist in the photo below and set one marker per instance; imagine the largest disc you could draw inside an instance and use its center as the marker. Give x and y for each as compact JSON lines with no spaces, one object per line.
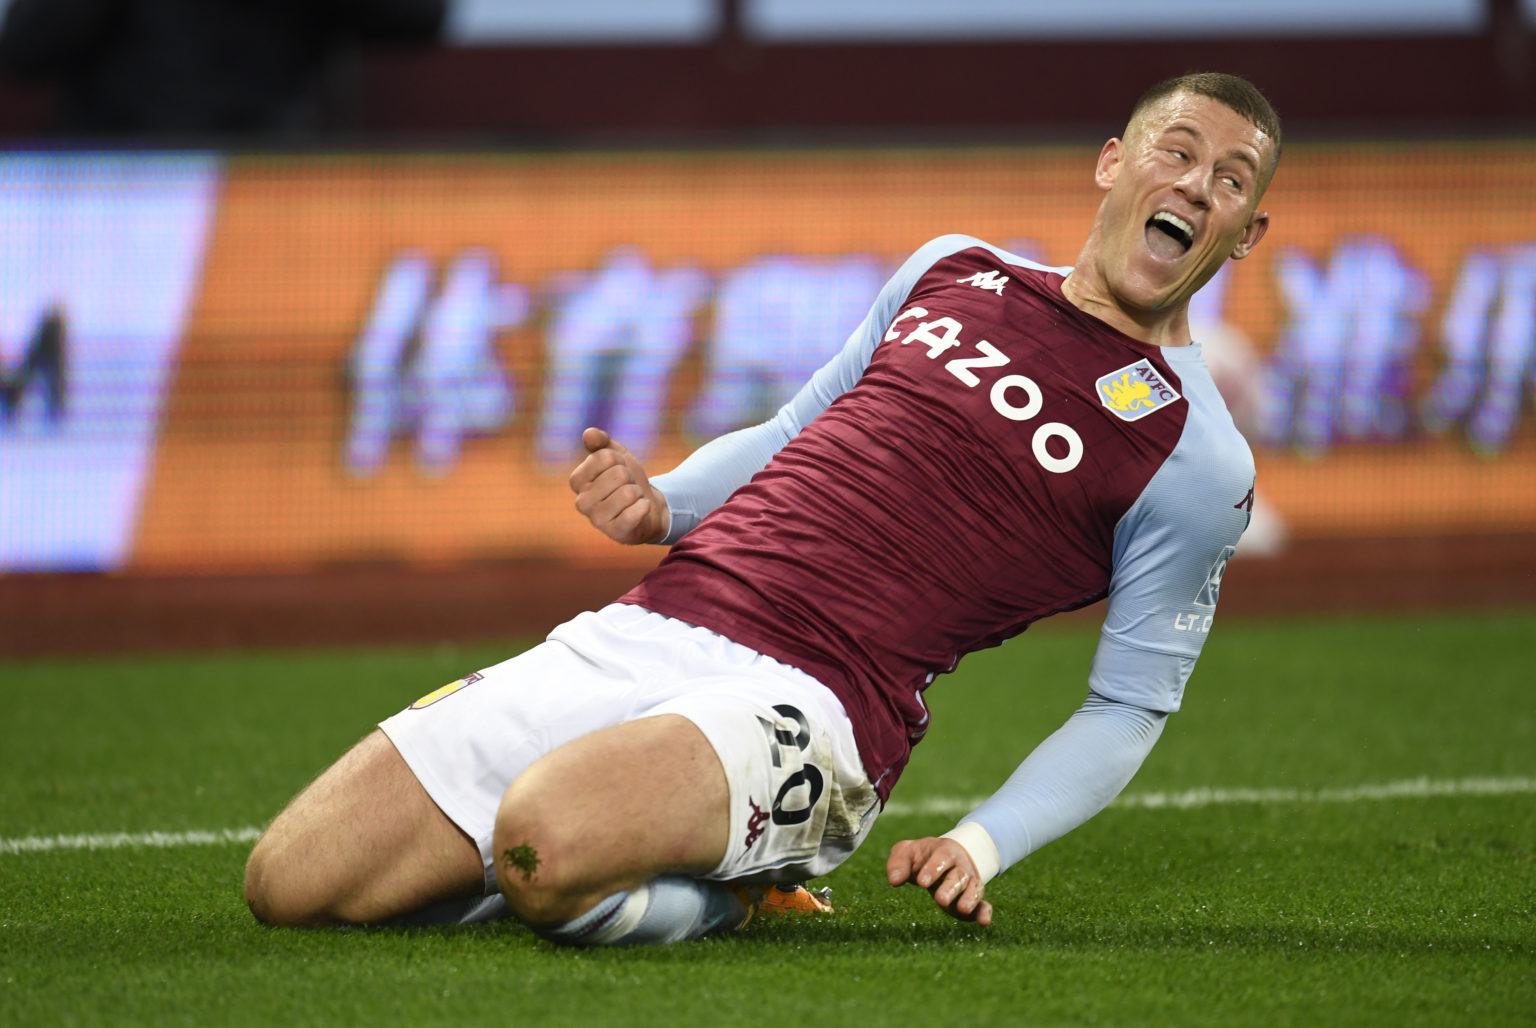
{"x":720,"y":468}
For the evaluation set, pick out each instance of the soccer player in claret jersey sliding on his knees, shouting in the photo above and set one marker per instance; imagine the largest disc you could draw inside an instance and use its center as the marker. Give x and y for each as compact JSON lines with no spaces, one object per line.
{"x":996,"y":443}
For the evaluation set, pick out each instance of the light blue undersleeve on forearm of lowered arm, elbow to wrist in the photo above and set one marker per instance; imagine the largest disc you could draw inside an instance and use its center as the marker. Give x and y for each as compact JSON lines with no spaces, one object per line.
{"x":1068,"y":780}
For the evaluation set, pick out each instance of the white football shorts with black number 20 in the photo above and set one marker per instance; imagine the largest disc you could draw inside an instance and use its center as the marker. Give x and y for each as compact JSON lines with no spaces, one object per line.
{"x":801,"y":801}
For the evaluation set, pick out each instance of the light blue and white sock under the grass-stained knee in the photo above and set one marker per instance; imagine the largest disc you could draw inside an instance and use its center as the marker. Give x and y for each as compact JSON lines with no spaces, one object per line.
{"x":666,"y":910}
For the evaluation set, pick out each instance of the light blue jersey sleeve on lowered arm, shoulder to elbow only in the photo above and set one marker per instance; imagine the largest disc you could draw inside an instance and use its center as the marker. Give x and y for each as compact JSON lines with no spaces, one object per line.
{"x":1170,"y":555}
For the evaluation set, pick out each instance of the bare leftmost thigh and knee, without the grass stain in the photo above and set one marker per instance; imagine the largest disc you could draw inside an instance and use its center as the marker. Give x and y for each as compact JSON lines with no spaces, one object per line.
{"x":362,"y":844}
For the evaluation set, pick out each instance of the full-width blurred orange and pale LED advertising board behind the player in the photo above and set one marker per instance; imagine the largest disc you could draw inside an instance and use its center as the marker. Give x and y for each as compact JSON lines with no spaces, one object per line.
{"x":266,"y":362}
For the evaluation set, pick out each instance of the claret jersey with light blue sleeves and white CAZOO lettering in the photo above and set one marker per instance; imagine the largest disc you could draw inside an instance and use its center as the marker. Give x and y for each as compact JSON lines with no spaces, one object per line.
{"x":981,"y":456}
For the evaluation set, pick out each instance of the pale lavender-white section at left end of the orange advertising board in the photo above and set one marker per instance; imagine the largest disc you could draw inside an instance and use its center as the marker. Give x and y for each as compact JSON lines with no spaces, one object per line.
{"x":98,"y":276}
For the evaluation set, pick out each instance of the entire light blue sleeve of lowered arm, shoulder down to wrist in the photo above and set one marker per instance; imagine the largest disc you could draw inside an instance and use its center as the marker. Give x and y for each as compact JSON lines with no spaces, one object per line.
{"x":1171,"y":552}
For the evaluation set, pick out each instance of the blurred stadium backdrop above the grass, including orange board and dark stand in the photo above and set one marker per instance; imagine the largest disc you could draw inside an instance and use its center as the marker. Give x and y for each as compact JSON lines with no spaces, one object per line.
{"x":325,"y":388}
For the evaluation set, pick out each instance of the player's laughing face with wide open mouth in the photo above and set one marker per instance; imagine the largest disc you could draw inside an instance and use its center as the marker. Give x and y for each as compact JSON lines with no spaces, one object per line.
{"x":1183,"y":193}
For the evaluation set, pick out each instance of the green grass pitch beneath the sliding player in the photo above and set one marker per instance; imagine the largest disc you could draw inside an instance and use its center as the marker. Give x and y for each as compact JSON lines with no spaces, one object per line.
{"x":1308,"y":904}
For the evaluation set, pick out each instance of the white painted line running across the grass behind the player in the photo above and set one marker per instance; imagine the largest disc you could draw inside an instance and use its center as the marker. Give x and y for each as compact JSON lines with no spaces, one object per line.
{"x":950,"y":806}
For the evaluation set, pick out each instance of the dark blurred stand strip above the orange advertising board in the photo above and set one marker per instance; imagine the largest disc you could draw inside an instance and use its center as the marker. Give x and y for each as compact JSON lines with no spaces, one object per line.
{"x":477,"y":73}
